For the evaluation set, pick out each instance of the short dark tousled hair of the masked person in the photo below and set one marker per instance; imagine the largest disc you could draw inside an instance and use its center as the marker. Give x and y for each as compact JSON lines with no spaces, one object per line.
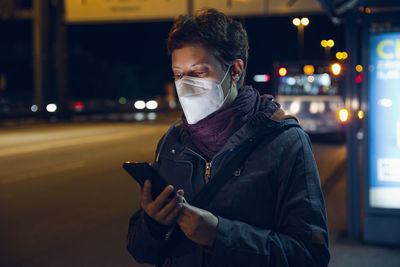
{"x":221,"y":35}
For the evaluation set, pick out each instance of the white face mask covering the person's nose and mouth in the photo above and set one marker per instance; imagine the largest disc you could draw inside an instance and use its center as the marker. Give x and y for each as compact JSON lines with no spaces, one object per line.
{"x":199,"y":97}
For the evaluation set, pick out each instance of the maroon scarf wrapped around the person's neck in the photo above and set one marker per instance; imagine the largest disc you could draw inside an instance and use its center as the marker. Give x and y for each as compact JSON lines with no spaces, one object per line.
{"x":211,"y":133}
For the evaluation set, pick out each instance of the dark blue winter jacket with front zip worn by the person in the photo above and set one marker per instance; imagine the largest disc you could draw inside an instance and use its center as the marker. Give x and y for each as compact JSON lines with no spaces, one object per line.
{"x":270,"y":213}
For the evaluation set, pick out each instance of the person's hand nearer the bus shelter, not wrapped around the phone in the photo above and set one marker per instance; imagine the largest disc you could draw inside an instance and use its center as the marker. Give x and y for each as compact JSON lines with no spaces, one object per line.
{"x":199,"y":225}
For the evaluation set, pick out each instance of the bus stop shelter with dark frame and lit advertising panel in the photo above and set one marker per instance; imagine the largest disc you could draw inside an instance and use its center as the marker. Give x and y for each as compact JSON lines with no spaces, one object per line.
{"x":373,"y":146}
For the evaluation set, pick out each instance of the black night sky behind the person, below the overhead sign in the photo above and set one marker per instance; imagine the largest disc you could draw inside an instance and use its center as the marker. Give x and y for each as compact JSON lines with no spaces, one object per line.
{"x":107,"y":61}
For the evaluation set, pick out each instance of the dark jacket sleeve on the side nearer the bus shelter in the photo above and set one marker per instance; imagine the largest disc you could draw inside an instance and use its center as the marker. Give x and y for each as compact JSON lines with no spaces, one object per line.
{"x":300,"y":236}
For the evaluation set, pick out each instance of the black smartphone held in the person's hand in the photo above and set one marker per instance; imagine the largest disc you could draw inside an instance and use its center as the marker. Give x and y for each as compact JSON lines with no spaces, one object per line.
{"x":141,"y":171}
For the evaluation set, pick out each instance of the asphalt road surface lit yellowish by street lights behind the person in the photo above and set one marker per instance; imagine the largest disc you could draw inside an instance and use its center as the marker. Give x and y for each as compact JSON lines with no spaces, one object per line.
{"x":65,"y":200}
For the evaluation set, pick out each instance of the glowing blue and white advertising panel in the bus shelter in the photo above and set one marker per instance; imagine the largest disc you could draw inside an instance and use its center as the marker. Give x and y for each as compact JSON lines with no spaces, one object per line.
{"x":384,"y":120}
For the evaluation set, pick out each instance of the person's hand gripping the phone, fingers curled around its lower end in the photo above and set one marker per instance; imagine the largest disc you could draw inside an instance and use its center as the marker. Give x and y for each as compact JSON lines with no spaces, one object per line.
{"x":162,"y":209}
